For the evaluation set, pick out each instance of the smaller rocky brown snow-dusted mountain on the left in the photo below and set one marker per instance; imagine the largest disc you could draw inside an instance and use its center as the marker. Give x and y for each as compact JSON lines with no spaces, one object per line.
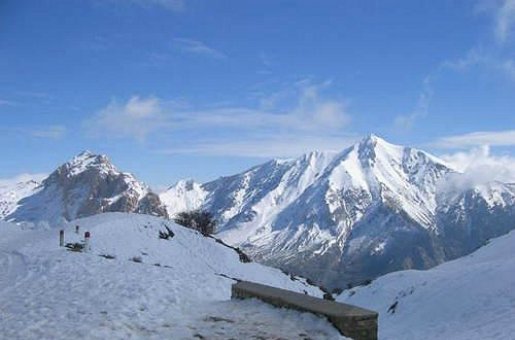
{"x":86,"y":185}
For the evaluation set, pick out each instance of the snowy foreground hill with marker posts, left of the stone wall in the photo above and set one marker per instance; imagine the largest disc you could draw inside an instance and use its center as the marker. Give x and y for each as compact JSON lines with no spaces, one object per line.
{"x":133,"y":284}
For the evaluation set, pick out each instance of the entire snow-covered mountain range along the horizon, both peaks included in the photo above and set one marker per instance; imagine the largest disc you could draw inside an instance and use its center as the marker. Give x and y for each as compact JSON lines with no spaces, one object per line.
{"x":339,"y":218}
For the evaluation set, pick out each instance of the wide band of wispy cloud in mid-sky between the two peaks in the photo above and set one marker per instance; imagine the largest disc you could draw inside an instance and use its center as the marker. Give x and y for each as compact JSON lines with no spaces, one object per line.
{"x":309,"y":122}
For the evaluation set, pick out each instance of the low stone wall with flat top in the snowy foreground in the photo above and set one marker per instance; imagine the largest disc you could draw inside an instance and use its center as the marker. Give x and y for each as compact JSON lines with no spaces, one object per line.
{"x":354,"y":322}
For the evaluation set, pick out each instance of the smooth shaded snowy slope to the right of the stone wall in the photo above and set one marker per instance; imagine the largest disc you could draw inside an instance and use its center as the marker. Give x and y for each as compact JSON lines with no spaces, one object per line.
{"x":469,"y":298}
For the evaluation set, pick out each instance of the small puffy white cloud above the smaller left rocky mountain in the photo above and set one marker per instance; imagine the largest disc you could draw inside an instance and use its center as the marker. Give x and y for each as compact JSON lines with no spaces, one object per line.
{"x":135,"y":119}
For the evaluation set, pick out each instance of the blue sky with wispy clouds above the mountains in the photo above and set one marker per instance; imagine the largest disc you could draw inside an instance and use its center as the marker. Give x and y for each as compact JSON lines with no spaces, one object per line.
{"x":173,"y":89}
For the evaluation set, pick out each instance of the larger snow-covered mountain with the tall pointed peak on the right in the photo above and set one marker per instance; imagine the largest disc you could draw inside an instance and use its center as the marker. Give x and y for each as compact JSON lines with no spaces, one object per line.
{"x":347,"y":217}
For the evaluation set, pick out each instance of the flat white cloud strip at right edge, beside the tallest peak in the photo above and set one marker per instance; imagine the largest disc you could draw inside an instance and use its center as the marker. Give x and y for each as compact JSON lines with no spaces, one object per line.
{"x":492,"y":138}
